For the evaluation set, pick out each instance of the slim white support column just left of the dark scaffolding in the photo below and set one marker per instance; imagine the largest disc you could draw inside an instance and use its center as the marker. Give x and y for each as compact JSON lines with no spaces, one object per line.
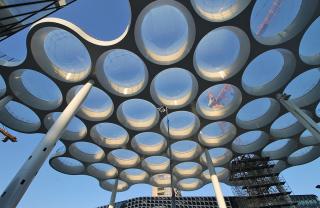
{"x":215,"y":181}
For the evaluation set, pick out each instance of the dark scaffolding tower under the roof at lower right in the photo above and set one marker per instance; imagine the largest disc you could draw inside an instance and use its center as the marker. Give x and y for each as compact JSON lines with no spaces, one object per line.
{"x":257,"y":184}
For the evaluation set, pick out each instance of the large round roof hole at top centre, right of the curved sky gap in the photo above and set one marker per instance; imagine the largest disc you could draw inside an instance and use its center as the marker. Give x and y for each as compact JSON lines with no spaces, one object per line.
{"x":164,"y":32}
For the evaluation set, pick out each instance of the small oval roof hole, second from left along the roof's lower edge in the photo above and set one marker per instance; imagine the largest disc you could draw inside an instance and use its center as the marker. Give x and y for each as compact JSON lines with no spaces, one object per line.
{"x":102,"y":171}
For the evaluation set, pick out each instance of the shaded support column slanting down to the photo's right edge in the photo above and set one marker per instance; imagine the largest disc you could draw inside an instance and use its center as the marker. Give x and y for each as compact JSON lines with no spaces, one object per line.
{"x":301,"y":116}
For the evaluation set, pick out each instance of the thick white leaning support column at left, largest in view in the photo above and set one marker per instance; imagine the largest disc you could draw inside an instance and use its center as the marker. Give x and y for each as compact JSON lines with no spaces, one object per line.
{"x":20,"y":183}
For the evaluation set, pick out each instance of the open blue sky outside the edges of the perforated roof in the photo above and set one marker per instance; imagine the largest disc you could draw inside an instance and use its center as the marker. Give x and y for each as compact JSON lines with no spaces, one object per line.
{"x":104,"y":20}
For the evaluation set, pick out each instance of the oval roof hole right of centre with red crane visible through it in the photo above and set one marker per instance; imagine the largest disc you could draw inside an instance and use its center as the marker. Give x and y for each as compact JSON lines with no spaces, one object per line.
{"x":219,"y":101}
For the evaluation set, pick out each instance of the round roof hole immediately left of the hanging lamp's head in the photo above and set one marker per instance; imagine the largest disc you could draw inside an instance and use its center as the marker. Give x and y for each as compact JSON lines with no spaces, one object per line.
{"x":138,"y":114}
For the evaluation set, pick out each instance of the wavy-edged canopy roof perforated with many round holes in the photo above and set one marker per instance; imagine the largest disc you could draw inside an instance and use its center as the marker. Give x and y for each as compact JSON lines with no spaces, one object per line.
{"x":216,"y":65}
